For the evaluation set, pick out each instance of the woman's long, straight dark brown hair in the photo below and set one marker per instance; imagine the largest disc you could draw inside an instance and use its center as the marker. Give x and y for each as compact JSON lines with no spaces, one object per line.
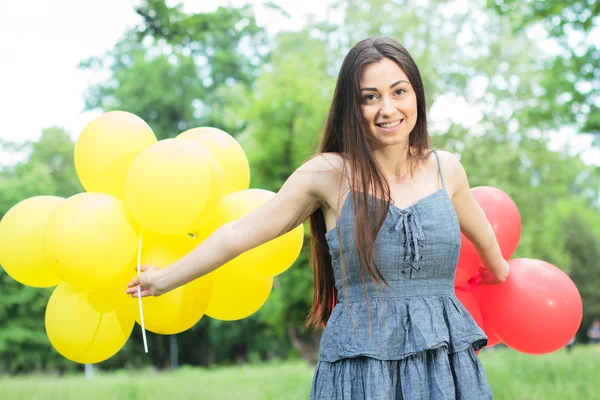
{"x":344,"y":134}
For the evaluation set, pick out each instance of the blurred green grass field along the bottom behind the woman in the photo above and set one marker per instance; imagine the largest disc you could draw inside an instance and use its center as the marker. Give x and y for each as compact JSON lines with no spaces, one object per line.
{"x":512,"y":376}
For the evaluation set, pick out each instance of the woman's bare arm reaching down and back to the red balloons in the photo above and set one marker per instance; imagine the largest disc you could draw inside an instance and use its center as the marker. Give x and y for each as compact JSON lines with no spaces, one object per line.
{"x":474,"y":224}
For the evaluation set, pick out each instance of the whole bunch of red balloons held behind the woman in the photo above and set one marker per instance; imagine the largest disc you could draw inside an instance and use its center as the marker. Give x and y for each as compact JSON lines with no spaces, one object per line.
{"x":538,"y":309}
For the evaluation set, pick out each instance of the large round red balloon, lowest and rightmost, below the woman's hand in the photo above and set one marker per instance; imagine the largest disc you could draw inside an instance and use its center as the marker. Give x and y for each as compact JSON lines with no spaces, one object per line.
{"x":536,"y":311}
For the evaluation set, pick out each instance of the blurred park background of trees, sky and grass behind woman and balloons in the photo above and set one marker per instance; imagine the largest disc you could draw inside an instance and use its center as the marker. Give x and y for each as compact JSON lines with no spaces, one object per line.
{"x":513,"y":88}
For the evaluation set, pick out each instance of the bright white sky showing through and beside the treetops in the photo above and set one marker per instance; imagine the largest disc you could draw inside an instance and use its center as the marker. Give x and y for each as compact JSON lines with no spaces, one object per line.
{"x":42,"y":43}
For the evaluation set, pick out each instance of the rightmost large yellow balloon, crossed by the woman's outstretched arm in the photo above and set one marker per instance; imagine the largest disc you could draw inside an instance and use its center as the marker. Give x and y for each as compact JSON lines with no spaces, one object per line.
{"x":269,"y":259}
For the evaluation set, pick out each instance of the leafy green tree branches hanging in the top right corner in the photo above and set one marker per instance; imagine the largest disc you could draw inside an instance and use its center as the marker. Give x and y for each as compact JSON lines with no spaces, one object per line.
{"x":571,"y":86}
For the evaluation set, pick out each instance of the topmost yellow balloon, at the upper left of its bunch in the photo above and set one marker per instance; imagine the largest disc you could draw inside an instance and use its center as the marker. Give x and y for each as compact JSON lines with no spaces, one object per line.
{"x":106,"y":149}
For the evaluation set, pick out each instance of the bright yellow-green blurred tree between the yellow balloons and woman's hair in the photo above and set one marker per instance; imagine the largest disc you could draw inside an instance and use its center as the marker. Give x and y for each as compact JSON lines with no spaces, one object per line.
{"x":287,"y":109}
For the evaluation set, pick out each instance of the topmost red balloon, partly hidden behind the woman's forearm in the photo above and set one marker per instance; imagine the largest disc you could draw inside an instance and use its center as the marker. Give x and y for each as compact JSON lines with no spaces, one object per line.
{"x":503,"y":214}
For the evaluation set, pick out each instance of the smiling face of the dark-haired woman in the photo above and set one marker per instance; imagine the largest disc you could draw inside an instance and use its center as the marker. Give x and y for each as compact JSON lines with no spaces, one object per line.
{"x":388,"y":103}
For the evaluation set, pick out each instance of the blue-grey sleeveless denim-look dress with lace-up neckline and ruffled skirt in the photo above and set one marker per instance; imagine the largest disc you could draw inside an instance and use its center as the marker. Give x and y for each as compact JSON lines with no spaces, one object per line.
{"x":413,"y":340}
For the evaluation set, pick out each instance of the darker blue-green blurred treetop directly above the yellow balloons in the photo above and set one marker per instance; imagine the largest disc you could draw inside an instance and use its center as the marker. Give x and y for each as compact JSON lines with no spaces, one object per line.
{"x":174,"y":70}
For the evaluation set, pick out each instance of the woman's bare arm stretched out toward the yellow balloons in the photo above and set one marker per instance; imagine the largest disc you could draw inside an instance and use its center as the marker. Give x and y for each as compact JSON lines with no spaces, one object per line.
{"x":298,"y":198}
